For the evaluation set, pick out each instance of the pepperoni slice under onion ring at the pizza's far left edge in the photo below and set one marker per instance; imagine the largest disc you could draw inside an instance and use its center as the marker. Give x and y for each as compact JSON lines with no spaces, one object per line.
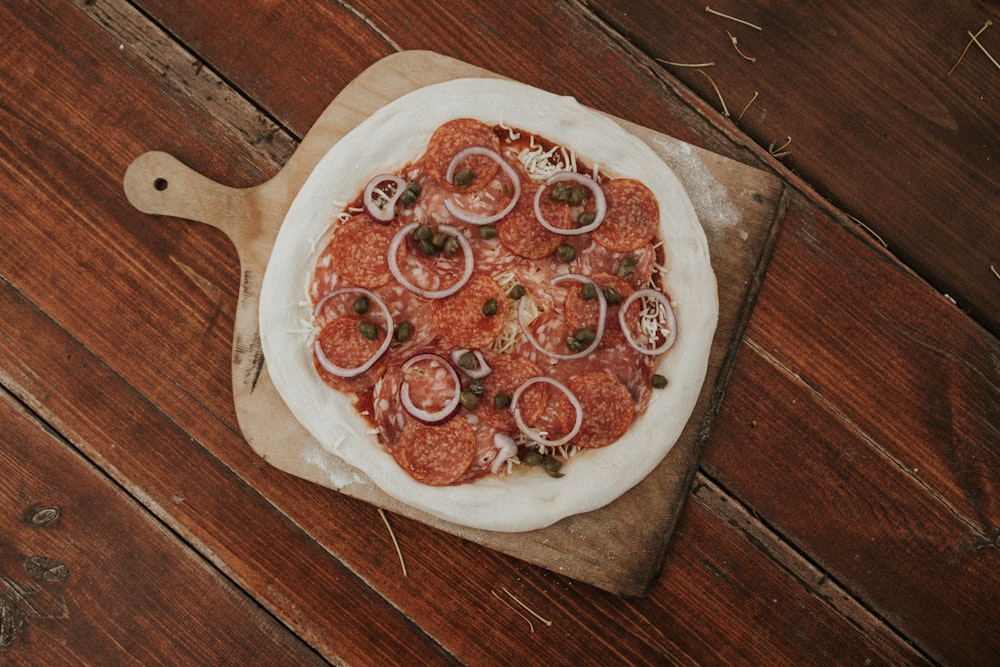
{"x":345,"y":346}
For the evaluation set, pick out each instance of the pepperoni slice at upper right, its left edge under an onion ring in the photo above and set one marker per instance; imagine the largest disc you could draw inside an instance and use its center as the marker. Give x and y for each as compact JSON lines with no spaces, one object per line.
{"x":632,"y":218}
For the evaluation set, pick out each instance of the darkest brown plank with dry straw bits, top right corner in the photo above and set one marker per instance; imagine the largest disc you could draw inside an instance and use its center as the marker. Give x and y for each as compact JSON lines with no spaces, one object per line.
{"x":876,"y":122}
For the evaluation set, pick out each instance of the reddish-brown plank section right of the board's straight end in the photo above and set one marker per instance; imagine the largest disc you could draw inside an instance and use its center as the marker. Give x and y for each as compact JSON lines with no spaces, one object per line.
{"x":891,"y":458}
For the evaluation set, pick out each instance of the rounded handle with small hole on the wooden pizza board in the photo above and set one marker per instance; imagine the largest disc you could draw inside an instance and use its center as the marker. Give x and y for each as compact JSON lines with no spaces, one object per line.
{"x":160,"y":184}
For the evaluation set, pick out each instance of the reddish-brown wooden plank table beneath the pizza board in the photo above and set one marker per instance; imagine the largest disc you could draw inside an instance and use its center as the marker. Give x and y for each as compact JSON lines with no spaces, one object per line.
{"x":845,"y":510}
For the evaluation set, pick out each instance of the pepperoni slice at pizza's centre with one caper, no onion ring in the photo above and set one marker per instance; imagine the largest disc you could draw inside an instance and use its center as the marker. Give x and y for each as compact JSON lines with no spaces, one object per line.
{"x":459,"y":318}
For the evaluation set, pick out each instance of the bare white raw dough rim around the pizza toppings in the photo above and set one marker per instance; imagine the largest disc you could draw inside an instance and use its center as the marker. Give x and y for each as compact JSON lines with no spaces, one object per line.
{"x":390,"y":138}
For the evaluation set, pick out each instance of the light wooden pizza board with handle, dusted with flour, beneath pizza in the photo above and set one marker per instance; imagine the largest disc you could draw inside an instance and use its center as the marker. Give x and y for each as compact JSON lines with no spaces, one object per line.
{"x":618,"y":548}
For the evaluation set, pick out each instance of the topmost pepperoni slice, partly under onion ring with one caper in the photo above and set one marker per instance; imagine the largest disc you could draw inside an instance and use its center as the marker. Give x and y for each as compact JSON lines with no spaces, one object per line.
{"x":451,"y":138}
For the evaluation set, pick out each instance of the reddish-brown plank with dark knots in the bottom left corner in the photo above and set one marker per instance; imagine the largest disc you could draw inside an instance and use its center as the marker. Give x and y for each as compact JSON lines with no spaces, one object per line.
{"x":88,"y":576}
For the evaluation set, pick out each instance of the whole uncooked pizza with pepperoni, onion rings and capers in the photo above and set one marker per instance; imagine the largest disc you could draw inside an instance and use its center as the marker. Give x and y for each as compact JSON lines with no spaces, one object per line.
{"x":495,"y":303}
